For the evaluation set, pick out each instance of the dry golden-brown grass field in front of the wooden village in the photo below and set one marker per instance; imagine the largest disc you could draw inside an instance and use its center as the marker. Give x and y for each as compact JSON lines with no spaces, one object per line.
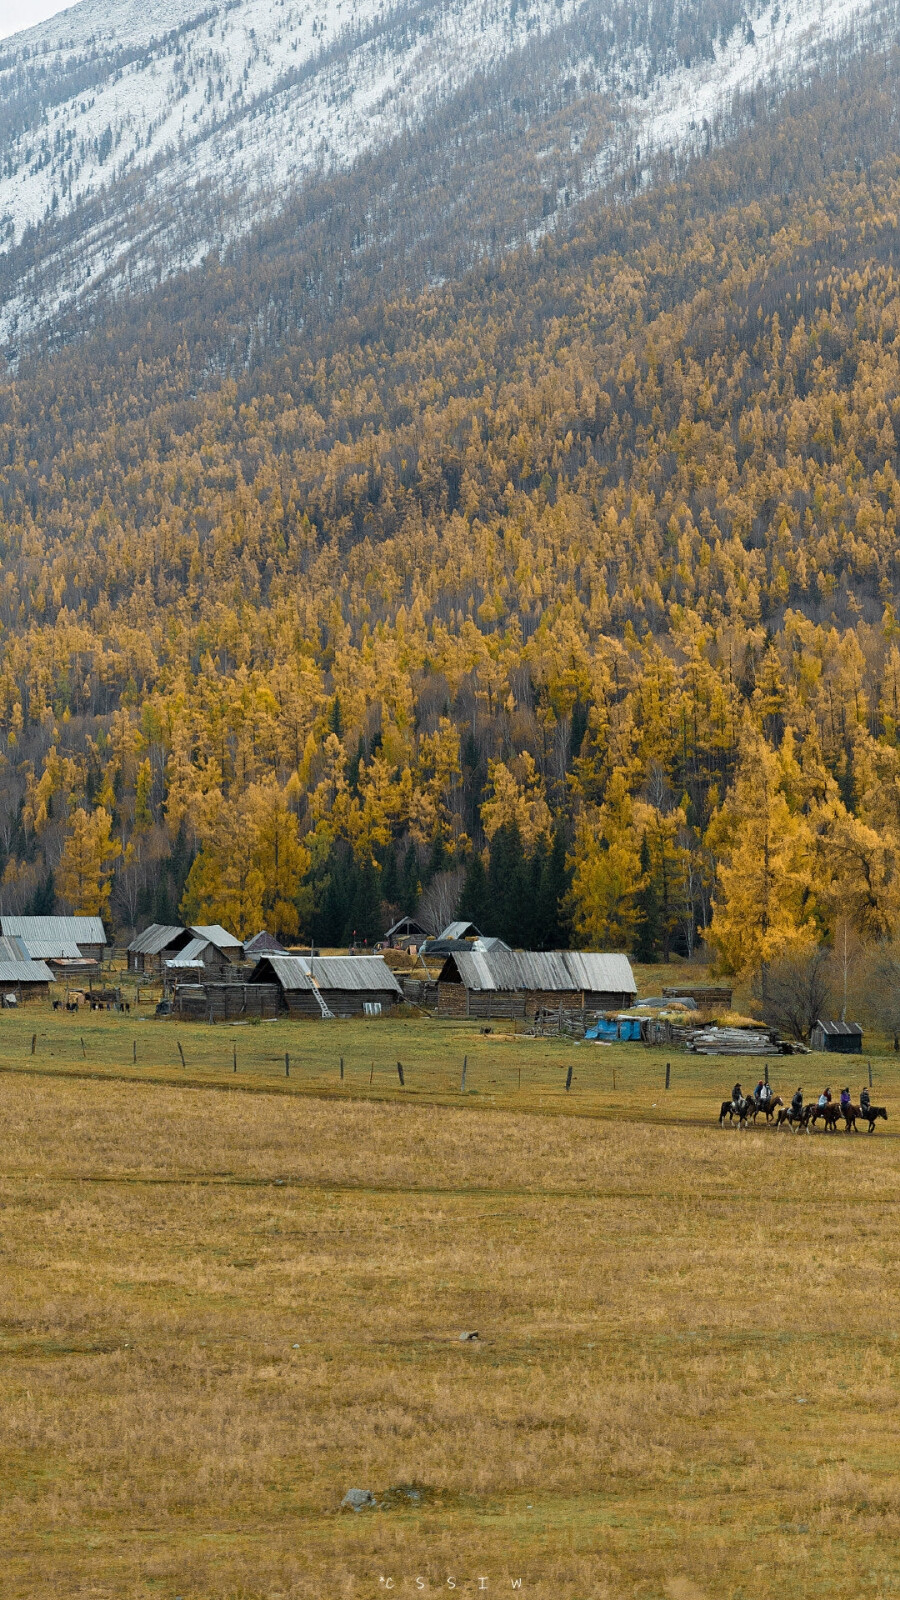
{"x":228,"y":1298}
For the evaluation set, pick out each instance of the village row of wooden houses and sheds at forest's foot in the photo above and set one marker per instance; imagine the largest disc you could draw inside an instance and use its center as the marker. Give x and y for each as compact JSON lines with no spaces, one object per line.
{"x":207,"y":975}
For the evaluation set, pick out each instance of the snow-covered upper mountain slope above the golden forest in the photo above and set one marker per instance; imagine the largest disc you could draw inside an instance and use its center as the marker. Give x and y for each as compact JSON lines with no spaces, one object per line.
{"x":139,"y":135}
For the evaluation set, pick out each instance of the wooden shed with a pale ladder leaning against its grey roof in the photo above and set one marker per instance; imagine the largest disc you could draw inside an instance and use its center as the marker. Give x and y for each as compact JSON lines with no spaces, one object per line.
{"x":324,"y":986}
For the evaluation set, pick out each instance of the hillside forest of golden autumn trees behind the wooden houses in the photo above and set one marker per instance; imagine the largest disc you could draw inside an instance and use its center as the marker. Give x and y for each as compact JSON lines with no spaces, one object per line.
{"x":565,"y":594}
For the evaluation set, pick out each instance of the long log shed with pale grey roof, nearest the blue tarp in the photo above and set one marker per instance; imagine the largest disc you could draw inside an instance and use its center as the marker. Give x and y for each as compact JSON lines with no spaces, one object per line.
{"x":520,"y":983}
